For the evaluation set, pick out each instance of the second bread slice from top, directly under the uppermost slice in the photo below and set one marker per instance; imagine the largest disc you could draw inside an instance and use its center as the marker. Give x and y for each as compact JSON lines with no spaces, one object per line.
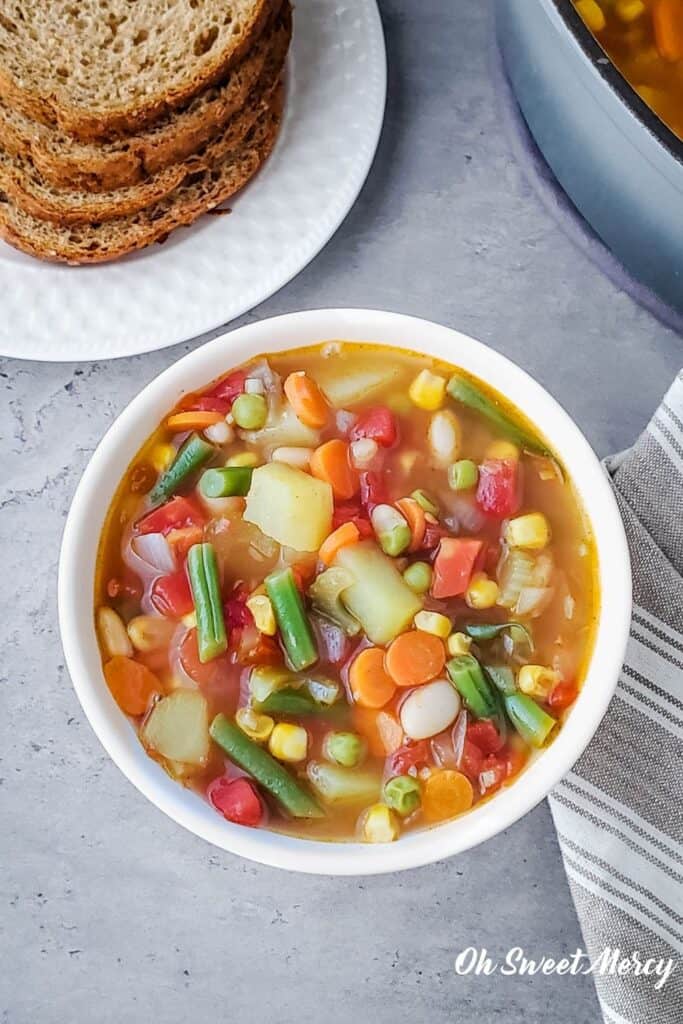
{"x":66,"y":163}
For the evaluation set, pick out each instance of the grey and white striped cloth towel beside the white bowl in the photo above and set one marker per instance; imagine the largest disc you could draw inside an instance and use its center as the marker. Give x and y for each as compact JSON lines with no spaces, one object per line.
{"x":620,"y":814}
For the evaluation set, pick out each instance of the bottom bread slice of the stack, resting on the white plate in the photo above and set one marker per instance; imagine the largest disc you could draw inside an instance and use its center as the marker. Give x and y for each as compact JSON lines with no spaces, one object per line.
{"x":199,"y":194}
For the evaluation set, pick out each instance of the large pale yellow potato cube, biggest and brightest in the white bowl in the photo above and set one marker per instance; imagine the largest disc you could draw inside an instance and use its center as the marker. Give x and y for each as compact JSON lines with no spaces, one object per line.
{"x":290,"y":506}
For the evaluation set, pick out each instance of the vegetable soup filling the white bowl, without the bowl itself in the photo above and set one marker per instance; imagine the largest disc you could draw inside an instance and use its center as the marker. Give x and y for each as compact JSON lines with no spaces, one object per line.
{"x":346,"y":592}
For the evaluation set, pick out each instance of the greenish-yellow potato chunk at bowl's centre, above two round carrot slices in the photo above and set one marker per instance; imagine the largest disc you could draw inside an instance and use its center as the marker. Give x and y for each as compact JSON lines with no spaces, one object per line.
{"x":379,"y":598}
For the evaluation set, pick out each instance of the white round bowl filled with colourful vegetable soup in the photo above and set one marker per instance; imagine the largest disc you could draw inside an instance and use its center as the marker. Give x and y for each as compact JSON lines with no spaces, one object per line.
{"x":345,"y":592}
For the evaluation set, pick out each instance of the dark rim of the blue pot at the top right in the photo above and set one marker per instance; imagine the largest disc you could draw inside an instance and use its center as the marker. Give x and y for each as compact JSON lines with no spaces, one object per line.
{"x":619,"y":84}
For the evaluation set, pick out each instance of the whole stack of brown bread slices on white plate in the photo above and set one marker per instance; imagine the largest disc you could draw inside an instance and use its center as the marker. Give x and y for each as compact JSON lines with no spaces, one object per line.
{"x":122,"y":120}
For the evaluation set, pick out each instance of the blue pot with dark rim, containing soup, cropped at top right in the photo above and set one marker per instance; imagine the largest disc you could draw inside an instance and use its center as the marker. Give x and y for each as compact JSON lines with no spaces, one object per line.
{"x":601,"y":83}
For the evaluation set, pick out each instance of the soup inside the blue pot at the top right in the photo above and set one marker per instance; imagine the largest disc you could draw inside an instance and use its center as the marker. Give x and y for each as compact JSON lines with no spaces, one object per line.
{"x":645,"y":40}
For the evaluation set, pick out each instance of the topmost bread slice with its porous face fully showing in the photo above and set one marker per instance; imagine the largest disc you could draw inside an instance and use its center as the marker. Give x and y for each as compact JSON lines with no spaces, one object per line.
{"x":106,"y":68}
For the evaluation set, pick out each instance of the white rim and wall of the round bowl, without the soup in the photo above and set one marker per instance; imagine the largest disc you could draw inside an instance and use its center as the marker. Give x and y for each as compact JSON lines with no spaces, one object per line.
{"x":77,"y":570}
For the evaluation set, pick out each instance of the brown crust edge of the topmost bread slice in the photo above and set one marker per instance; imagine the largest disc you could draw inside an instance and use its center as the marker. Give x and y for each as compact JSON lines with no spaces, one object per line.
{"x":94,"y":125}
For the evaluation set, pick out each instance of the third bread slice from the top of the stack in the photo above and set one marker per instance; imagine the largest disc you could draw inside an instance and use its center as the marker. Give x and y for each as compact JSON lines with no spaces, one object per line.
{"x":24,"y":187}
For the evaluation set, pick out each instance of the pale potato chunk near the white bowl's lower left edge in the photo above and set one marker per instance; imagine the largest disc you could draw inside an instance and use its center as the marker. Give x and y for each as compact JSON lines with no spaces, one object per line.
{"x":179,"y":729}
